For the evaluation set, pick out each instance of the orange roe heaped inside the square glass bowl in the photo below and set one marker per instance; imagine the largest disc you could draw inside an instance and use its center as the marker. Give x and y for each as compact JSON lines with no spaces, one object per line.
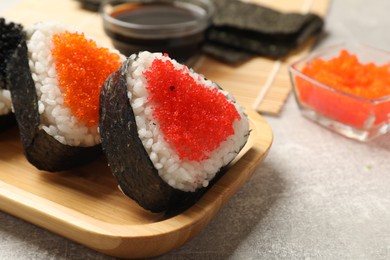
{"x":356,"y":86}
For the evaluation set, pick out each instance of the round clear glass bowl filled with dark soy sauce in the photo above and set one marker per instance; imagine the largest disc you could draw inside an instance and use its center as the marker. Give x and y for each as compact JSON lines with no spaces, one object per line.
{"x":175,"y":27}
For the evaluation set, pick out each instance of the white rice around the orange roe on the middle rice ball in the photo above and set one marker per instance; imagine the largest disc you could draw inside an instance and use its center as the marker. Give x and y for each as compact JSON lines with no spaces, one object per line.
{"x":56,"y":118}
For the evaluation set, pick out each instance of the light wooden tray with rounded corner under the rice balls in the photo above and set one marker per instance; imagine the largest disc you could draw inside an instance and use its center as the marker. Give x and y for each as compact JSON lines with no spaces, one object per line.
{"x":86,"y":206}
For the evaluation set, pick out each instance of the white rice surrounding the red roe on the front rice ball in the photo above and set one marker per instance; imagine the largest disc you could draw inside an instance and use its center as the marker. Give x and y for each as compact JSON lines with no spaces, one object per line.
{"x":184,"y":175}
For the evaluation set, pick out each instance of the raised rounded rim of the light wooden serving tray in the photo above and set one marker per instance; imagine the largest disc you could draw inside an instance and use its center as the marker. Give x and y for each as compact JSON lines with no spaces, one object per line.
{"x":138,"y":241}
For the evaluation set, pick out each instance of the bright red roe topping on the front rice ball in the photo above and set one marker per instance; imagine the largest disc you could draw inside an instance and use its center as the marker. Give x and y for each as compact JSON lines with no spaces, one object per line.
{"x":194,"y":119}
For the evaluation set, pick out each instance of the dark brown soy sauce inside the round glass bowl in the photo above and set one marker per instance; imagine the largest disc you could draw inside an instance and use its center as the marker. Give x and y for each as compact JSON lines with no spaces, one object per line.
{"x":146,"y":30}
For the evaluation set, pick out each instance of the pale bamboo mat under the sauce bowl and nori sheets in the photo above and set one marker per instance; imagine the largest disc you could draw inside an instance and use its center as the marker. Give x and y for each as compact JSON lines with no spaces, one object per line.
{"x":260,"y":84}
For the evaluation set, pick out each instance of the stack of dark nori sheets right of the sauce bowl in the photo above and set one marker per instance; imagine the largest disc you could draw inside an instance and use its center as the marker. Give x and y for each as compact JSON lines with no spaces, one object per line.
{"x":243,"y":30}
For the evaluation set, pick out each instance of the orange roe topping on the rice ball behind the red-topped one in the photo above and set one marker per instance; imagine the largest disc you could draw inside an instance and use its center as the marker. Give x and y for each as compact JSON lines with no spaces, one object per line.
{"x":82,"y":68}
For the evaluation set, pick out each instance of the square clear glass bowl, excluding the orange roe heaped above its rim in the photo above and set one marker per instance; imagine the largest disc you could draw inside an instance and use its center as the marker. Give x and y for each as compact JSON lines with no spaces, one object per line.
{"x":347,"y":114}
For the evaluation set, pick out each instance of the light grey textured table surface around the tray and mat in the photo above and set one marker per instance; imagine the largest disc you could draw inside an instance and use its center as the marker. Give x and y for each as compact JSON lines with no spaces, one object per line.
{"x":317,"y":195}
